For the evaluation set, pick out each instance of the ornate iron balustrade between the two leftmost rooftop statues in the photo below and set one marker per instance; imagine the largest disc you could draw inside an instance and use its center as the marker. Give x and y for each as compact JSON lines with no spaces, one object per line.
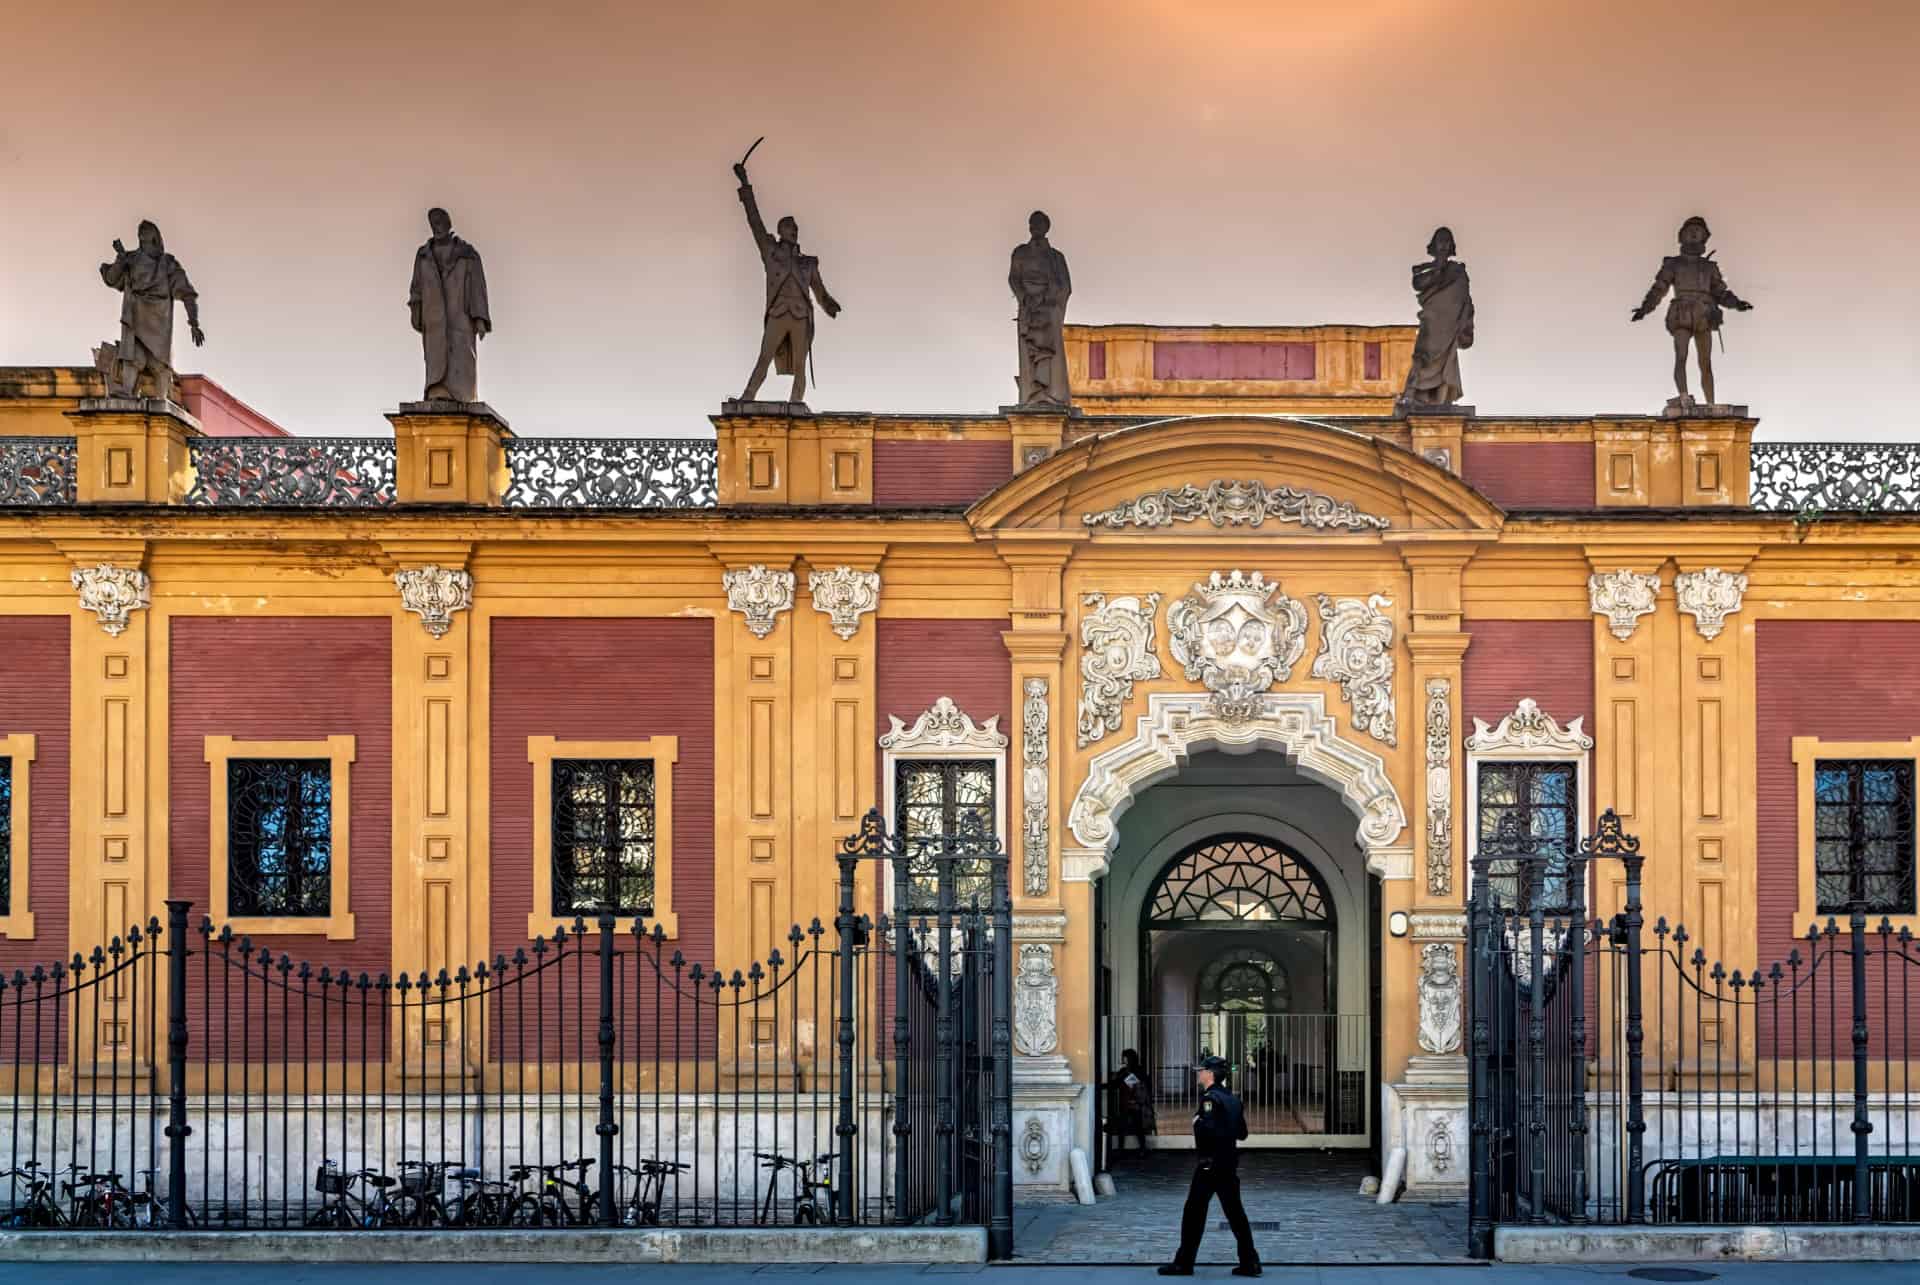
{"x":293,"y":473}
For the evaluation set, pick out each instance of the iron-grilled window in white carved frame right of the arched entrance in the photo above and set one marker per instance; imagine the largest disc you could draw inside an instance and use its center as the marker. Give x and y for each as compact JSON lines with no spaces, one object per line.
{"x":1529,"y":808}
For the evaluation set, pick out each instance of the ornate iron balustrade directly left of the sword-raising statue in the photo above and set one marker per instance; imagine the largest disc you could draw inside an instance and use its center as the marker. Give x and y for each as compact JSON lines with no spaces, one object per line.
{"x":613,"y":473}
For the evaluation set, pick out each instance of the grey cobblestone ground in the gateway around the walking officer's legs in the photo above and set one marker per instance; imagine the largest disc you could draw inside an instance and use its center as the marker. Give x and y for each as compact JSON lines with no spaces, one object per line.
{"x":1307,"y":1209}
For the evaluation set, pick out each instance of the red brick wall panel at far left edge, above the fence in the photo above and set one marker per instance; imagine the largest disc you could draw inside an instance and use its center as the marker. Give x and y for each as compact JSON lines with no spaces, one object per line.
{"x":34,"y":698}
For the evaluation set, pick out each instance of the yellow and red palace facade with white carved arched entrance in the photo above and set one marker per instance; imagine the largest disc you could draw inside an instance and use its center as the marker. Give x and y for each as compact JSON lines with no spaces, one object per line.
{"x":1239,"y":664}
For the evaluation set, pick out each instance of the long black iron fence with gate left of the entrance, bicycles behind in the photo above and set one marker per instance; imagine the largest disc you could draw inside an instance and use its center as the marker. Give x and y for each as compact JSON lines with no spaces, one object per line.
{"x":859,"y":1075}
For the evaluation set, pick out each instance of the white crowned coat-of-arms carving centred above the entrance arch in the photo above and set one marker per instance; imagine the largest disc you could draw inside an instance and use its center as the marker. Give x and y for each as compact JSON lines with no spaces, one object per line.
{"x":1237,"y":635}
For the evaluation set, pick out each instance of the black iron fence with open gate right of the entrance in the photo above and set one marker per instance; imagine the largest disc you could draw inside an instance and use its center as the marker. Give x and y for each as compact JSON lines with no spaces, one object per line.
{"x":1623,"y":1077}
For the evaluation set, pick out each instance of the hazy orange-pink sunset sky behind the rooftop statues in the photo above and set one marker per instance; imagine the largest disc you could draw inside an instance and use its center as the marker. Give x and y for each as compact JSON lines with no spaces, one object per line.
{"x":1203,"y":162}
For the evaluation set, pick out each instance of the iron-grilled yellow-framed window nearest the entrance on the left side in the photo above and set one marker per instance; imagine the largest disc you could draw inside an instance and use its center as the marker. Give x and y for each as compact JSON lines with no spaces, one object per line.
{"x":602,"y":836}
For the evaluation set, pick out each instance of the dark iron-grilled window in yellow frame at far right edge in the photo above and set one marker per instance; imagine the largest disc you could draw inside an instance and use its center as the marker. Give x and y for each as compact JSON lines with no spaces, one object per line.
{"x":1863,"y":835}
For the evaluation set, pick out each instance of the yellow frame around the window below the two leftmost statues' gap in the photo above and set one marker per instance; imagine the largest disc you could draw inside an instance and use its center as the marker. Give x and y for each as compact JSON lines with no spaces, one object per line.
{"x":339,"y":923}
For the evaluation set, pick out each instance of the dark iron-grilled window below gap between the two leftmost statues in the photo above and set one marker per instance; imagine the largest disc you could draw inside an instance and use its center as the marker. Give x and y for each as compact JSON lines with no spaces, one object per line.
{"x":279,"y":836}
